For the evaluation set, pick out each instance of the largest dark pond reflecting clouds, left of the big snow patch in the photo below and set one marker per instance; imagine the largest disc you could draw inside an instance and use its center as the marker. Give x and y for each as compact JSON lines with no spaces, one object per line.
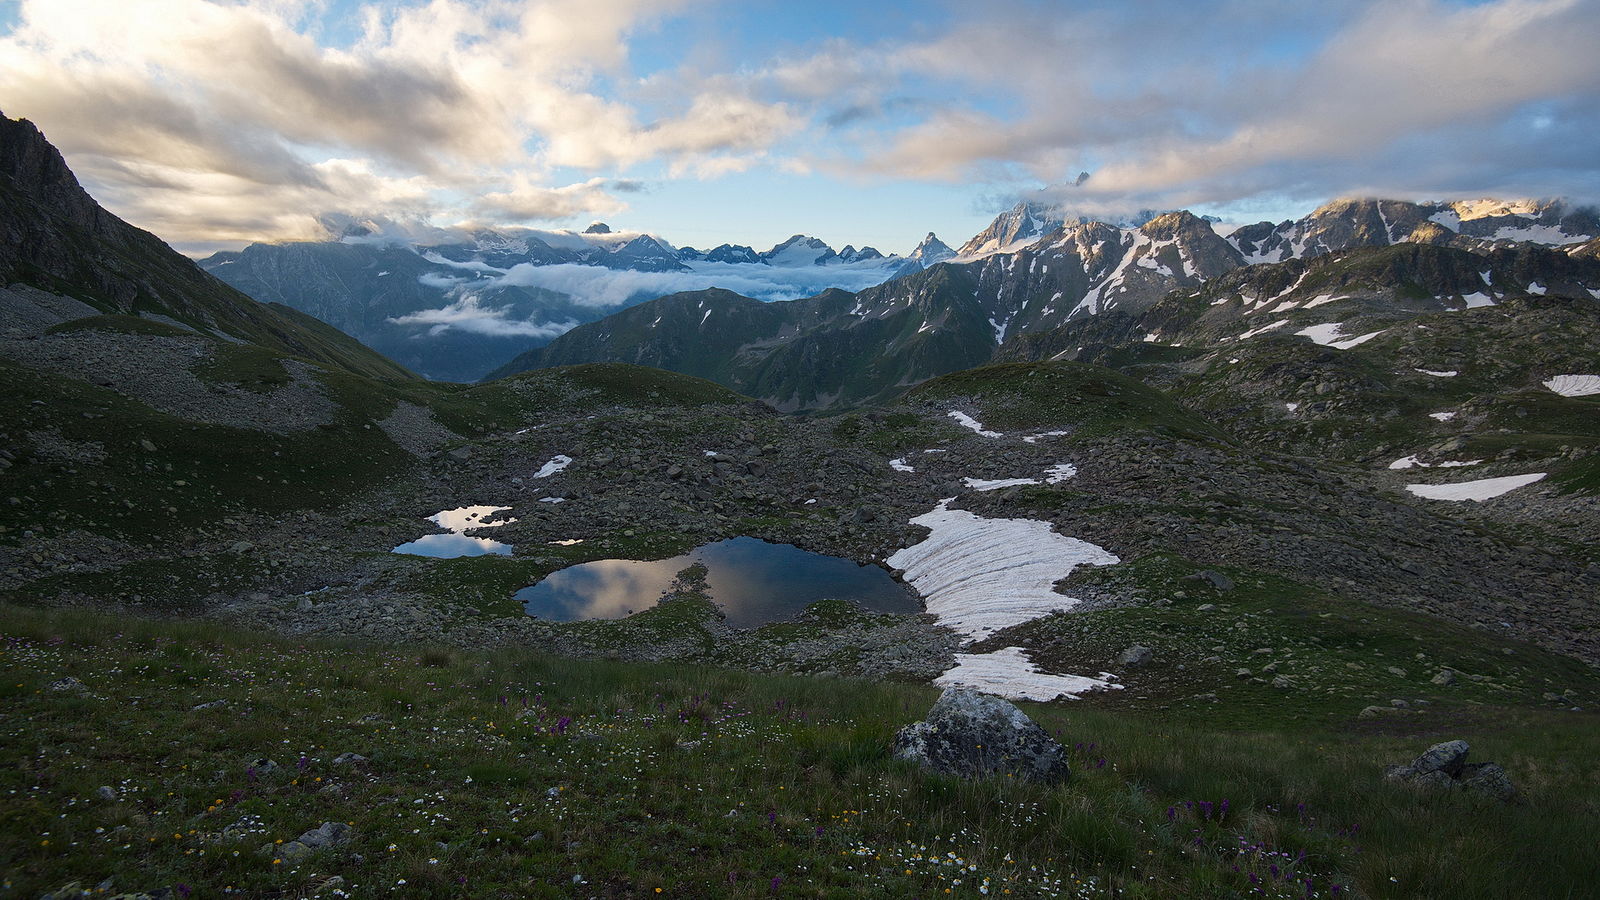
{"x":753,"y":582}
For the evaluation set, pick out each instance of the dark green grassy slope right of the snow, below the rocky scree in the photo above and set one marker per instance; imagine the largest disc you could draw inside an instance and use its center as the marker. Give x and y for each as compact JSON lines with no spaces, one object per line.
{"x":1337,"y":656}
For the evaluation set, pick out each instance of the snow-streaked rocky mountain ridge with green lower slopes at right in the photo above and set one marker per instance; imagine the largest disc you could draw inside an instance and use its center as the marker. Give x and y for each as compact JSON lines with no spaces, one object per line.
{"x":1046,"y":287}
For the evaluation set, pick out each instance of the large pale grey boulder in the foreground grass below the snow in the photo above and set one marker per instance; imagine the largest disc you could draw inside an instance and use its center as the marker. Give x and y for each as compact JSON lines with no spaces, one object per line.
{"x":972,"y":736}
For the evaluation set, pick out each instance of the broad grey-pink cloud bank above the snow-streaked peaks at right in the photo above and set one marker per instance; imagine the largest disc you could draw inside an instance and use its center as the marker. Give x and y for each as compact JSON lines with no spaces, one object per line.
{"x":1209,"y":103}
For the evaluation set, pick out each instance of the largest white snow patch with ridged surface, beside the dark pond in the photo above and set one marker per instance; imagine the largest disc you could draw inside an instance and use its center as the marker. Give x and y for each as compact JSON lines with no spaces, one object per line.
{"x":980,"y":576}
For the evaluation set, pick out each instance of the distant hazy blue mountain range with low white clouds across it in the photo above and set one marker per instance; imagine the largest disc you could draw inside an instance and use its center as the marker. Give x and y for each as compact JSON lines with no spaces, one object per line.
{"x":454,"y":305}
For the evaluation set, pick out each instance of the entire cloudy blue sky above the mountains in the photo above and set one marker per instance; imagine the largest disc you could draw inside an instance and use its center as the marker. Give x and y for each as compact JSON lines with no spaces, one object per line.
{"x":220,"y":123}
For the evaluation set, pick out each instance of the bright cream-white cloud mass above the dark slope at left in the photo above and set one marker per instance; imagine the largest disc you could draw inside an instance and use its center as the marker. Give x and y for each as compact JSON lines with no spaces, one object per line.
{"x":228,"y":123}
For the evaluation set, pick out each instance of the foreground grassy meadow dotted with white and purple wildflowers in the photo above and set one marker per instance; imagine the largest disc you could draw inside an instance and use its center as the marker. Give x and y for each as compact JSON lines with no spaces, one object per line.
{"x":510,"y":774}
